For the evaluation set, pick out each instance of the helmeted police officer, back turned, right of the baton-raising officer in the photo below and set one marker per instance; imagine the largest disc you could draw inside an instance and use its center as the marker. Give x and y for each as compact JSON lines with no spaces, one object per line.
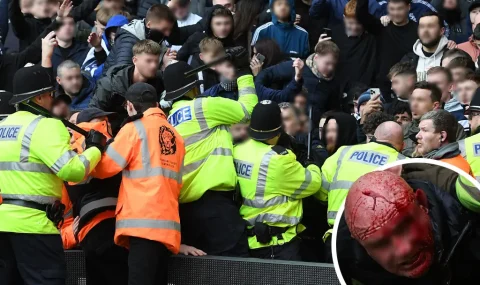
{"x":272,"y":184}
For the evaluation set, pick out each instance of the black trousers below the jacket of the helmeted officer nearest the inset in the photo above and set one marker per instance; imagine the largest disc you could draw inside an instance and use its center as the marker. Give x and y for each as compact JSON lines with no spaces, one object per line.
{"x":288,"y":251}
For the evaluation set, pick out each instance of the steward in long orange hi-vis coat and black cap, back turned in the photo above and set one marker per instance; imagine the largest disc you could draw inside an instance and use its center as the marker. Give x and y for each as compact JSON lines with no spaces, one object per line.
{"x":150,"y":153}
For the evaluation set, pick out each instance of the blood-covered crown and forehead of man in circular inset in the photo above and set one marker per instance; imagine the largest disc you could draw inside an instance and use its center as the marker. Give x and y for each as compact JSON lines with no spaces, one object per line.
{"x":374,"y":200}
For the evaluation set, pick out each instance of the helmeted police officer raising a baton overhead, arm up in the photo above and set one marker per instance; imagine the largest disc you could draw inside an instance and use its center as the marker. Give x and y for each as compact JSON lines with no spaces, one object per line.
{"x":210,"y":218}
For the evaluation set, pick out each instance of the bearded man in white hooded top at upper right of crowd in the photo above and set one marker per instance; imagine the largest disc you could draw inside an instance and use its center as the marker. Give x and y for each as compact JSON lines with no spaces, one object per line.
{"x":428,"y":49}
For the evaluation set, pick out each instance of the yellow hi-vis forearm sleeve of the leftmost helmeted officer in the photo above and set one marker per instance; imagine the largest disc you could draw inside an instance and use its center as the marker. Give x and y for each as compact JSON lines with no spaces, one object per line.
{"x":74,"y":168}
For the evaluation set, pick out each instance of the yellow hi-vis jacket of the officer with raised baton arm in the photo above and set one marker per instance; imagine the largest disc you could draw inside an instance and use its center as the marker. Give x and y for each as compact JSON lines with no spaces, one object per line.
{"x":203,"y":123}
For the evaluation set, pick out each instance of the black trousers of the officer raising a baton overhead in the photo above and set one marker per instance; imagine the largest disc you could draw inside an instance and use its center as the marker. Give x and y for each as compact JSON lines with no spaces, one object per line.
{"x":214,"y":225}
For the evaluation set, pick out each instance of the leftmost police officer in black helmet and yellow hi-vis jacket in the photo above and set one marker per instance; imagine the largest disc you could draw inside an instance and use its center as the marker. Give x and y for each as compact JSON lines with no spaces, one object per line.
{"x":35,"y":159}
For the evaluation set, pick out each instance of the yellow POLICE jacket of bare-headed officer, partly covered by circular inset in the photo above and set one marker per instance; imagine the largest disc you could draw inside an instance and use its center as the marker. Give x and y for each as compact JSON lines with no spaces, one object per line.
{"x":344,"y":167}
